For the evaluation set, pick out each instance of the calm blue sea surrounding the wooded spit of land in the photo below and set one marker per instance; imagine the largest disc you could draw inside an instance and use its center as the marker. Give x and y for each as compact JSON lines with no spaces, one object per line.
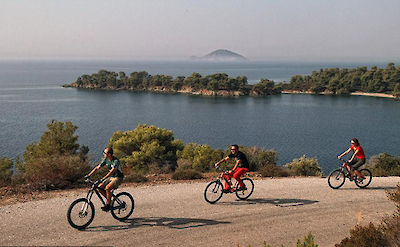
{"x":317,"y":126}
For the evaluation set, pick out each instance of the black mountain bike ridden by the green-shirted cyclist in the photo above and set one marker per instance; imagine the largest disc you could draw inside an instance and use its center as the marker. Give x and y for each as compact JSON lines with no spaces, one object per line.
{"x":81,"y":212}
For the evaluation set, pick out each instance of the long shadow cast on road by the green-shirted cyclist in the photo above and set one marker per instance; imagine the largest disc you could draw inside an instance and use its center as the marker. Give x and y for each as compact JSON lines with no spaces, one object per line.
{"x":174,"y":223}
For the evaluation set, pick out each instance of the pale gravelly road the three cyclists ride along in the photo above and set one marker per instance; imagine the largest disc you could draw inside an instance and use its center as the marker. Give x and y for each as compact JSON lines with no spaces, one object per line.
{"x":280,"y":211}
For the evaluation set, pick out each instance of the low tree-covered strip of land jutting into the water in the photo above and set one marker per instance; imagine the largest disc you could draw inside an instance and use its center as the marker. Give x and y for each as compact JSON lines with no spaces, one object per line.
{"x":376,"y":82}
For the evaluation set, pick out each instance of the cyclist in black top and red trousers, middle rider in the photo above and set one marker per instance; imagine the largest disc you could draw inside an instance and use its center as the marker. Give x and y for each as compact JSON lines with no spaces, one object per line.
{"x":240,"y":168}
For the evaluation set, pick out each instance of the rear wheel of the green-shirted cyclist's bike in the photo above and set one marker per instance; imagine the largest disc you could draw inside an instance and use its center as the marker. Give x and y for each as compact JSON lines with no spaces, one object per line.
{"x":122,"y":206}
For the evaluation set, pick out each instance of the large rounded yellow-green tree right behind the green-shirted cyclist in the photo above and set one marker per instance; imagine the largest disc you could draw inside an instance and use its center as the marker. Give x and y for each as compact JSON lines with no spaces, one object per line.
{"x":146,"y":146}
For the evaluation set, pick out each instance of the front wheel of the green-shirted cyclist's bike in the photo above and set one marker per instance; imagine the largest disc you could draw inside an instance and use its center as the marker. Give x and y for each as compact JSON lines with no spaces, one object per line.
{"x":80,"y":213}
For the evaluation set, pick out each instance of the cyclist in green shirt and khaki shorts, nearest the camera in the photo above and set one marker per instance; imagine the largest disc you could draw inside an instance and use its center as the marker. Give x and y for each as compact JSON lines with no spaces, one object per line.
{"x":112,"y":179}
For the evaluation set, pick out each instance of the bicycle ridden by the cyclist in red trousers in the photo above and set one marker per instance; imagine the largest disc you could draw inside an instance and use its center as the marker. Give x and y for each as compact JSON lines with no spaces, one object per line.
{"x":215,"y":189}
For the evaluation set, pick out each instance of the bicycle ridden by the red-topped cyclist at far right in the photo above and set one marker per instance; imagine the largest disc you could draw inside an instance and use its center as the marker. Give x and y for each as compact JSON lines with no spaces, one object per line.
{"x":338,"y":176}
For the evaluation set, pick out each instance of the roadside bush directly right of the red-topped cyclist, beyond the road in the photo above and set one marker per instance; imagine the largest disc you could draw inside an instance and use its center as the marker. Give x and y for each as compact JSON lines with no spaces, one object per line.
{"x":384,"y":165}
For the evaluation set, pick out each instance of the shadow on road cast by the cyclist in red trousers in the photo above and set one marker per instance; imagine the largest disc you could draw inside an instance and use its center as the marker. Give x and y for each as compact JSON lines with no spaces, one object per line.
{"x":277,"y":202}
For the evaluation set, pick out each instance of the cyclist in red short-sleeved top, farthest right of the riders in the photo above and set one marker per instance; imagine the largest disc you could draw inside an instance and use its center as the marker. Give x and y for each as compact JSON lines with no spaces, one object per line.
{"x":357,"y":160}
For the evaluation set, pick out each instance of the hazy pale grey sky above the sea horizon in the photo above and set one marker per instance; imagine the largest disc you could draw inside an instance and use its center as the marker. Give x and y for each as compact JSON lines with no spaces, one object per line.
{"x":177,"y":29}
